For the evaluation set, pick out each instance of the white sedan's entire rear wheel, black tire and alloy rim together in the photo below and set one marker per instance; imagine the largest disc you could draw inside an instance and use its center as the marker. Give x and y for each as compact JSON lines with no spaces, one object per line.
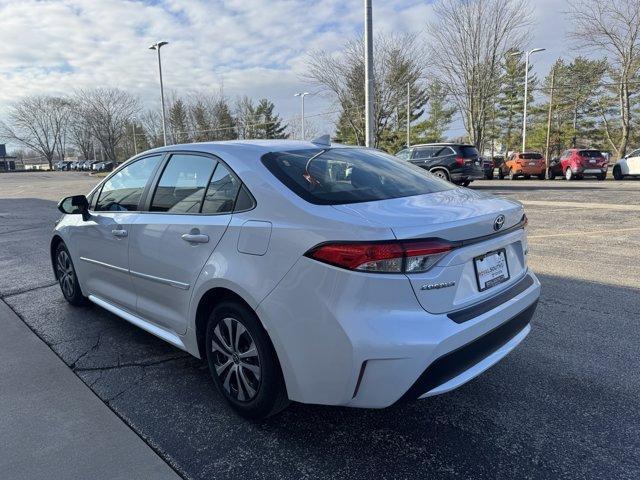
{"x":253,"y":386}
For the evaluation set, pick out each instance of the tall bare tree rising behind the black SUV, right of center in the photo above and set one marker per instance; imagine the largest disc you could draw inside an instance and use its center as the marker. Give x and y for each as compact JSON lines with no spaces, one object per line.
{"x":468,"y":42}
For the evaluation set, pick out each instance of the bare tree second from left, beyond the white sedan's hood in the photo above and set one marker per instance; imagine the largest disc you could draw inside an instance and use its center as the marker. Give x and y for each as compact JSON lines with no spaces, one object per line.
{"x":108,"y":112}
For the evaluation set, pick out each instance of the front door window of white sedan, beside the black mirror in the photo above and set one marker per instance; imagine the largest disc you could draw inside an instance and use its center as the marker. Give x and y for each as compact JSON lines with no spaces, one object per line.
{"x":123,"y":190}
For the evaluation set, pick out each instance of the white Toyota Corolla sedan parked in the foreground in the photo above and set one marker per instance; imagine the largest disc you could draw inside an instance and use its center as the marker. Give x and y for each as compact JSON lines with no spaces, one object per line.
{"x":303,"y":271}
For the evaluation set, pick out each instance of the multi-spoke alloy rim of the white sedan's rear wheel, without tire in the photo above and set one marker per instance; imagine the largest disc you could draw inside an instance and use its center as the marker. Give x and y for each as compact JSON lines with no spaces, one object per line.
{"x":236,"y":360}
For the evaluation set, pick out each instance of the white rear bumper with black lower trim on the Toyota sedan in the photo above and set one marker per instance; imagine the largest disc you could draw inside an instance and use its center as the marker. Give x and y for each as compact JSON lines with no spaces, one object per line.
{"x":364,"y":341}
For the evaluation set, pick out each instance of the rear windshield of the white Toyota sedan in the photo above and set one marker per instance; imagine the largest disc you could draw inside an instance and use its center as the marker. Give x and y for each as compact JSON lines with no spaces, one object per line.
{"x":349,"y":175}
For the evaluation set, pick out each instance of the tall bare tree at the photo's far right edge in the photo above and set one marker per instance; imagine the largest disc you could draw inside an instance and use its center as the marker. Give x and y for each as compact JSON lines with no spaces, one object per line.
{"x":612,"y":26}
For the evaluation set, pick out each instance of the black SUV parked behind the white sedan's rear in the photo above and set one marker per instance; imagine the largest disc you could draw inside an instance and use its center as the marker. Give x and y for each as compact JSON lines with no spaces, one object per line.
{"x":455,"y":162}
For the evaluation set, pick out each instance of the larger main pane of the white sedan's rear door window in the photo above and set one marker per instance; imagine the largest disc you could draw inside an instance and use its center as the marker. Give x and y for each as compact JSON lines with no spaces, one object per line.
{"x":182,"y":184}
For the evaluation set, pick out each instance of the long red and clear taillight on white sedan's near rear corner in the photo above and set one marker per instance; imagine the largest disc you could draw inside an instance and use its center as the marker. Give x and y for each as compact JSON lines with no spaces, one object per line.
{"x":408,"y":256}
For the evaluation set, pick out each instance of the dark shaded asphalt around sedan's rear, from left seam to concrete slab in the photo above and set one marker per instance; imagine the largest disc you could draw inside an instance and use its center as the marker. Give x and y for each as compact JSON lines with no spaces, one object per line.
{"x":565,"y":404}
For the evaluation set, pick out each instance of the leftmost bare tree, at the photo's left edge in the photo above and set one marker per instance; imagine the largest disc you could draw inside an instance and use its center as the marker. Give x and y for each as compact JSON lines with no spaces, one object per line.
{"x":38,"y":123}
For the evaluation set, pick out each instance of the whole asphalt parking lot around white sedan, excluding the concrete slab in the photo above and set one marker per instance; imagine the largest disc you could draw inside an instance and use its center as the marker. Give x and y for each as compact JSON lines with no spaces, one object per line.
{"x":565,"y":404}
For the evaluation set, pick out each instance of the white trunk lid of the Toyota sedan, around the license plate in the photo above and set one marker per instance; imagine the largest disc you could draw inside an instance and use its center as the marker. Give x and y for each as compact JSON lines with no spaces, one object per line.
{"x":458,"y":214}
